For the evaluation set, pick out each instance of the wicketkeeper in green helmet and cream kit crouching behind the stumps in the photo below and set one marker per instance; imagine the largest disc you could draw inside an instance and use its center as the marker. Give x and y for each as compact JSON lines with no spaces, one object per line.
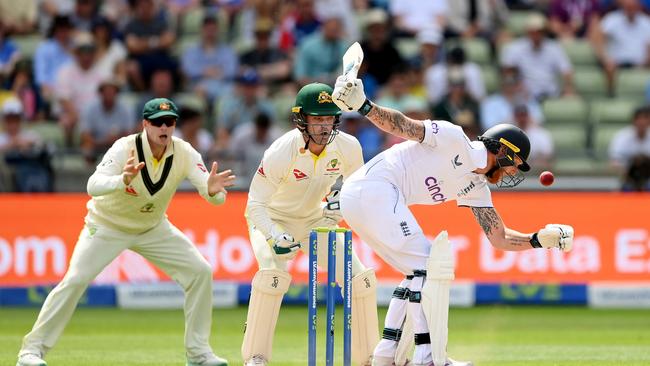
{"x":285,"y":203}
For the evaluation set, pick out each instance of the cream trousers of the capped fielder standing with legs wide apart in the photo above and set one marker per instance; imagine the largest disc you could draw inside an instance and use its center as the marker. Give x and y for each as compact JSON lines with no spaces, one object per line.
{"x":165,"y":246}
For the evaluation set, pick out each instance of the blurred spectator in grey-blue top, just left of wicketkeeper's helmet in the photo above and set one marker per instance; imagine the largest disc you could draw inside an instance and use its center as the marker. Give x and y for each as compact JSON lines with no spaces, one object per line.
{"x":240,"y":107}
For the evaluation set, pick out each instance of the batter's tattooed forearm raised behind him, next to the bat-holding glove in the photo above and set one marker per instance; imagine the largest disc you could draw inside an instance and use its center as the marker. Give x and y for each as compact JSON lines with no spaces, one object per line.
{"x":396,"y":123}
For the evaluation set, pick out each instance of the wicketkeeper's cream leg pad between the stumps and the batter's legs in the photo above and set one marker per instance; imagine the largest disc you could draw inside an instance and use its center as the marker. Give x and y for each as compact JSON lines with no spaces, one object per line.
{"x":364,"y":317}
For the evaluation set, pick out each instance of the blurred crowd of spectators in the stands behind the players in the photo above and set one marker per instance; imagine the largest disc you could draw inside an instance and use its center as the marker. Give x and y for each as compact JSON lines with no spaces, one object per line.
{"x":74,"y":75}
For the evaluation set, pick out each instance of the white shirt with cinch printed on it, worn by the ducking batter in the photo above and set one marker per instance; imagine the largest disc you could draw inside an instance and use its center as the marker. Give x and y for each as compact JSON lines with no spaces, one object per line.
{"x":437,"y":170}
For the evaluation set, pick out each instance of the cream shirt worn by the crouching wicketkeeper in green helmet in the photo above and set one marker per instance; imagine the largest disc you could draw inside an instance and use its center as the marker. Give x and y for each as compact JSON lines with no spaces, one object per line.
{"x":291,"y":182}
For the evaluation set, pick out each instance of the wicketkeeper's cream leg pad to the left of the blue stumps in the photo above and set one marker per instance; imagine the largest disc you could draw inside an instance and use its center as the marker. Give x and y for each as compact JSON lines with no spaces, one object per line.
{"x":268,"y":288}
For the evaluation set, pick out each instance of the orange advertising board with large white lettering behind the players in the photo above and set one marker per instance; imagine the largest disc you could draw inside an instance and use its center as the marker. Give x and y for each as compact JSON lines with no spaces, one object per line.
{"x":612,"y":243}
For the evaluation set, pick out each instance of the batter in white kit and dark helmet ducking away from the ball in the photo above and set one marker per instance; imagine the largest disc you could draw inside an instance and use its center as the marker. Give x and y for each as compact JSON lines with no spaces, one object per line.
{"x":437,"y":164}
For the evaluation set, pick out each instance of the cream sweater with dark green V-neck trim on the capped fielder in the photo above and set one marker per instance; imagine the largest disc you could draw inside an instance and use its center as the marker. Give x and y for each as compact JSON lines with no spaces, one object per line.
{"x":141,"y":205}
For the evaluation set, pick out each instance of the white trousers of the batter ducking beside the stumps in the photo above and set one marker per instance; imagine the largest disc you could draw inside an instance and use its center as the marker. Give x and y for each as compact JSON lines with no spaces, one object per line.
{"x":376,"y":211}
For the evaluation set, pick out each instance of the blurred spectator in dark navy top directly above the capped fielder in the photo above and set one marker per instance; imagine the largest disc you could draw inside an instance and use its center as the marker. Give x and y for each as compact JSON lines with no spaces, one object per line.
{"x":149,"y":40}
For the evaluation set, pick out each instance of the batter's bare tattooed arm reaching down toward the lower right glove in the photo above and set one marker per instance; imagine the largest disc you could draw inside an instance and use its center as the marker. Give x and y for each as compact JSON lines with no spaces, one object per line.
{"x":500,"y":236}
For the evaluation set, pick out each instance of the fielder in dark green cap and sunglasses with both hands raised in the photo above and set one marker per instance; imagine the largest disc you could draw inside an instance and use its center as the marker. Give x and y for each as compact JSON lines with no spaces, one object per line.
{"x":131,"y":189}
